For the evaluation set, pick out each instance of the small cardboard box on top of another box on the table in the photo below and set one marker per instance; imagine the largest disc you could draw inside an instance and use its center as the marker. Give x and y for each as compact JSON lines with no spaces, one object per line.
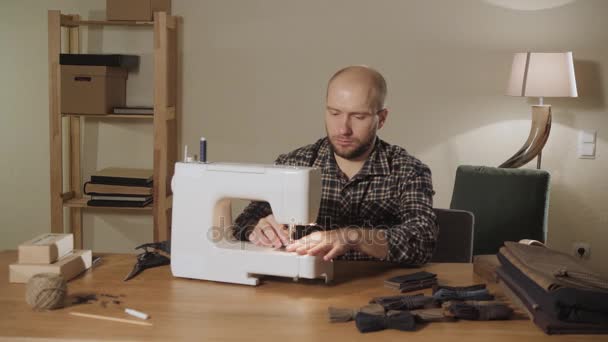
{"x":46,"y":248}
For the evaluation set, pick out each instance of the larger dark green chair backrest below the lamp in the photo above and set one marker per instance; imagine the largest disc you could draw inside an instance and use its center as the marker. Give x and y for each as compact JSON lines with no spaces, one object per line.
{"x":508,"y":204}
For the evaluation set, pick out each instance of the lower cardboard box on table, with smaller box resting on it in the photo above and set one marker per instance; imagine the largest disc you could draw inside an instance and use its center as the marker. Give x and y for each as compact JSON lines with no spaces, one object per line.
{"x":69,"y":267}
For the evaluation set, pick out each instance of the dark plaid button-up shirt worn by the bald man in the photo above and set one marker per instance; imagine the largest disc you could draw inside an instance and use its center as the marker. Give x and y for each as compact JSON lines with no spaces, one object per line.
{"x":392,"y":191}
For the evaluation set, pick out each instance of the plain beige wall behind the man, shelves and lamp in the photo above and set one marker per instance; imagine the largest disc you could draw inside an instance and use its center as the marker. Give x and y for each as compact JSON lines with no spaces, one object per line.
{"x":254,"y":78}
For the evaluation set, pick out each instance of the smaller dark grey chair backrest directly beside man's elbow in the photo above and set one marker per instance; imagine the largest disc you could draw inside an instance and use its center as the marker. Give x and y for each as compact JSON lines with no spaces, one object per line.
{"x":455,"y":239}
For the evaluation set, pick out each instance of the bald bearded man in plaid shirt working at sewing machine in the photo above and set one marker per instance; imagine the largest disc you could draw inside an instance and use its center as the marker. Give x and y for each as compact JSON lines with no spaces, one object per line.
{"x":376,"y":198}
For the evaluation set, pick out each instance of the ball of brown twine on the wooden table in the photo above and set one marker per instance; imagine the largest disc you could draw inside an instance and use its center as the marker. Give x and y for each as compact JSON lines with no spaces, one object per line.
{"x":46,"y":291}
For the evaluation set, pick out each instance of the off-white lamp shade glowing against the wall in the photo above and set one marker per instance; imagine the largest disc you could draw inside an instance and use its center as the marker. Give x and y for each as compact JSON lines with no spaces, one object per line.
{"x":541,"y":74}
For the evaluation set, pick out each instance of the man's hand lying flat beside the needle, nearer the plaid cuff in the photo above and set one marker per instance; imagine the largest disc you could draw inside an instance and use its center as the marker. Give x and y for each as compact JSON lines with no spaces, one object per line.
{"x":330,"y":244}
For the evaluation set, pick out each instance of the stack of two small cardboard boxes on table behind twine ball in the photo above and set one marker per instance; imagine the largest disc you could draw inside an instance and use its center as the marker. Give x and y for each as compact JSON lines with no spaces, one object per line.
{"x":49,"y":253}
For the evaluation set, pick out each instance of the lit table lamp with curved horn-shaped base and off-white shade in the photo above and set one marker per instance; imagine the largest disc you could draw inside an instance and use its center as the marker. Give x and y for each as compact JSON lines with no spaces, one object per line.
{"x":539,"y":75}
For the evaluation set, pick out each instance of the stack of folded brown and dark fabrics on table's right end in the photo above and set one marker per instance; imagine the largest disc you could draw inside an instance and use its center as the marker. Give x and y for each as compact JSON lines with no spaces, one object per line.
{"x":560,"y":294}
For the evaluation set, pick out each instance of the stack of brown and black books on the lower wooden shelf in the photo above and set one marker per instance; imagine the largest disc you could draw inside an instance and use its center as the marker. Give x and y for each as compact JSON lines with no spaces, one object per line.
{"x":120,"y":187}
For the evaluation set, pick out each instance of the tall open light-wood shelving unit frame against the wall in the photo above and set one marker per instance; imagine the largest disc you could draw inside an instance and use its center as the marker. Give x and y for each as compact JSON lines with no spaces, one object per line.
{"x":166,"y":28}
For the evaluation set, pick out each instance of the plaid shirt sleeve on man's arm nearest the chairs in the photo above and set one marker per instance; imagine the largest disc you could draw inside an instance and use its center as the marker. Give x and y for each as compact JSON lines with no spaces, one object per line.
{"x":413,"y":240}
